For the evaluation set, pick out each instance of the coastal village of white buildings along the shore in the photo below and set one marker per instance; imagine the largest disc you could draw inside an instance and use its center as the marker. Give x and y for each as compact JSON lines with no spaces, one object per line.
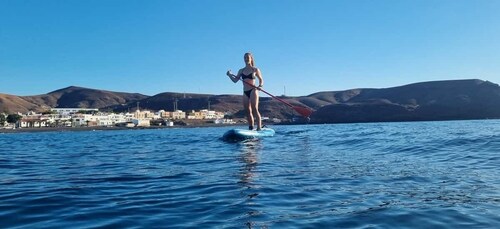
{"x":92,"y":117}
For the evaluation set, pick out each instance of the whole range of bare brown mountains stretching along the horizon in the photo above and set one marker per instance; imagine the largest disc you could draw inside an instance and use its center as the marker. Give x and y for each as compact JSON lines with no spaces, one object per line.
{"x":436,"y":100}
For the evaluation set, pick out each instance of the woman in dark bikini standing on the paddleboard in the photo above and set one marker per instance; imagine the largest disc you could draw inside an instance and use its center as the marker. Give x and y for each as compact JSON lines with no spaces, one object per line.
{"x":250,"y":91}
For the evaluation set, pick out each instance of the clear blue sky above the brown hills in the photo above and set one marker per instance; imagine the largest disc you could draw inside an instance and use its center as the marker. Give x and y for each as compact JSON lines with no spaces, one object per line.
{"x":151,"y":47}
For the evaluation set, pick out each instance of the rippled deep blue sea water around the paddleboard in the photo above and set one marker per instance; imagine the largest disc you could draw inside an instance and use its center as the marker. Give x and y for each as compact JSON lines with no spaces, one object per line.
{"x":371,"y":175}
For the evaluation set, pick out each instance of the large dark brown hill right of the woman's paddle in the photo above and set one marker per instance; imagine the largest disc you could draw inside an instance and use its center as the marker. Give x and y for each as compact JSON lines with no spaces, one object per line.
{"x":438,"y":100}
